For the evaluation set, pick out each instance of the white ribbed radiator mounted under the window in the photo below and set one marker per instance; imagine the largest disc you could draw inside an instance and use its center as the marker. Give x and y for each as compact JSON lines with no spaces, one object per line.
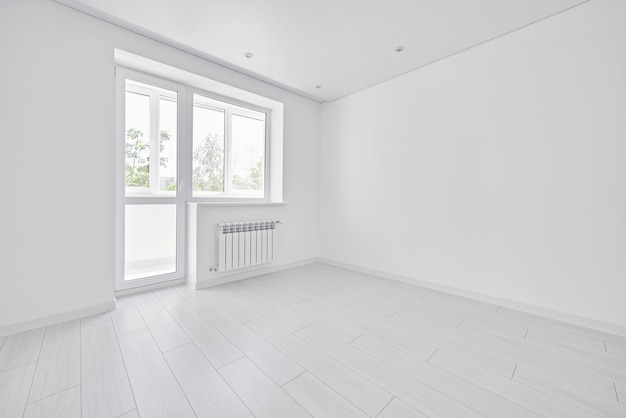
{"x":245,"y":244}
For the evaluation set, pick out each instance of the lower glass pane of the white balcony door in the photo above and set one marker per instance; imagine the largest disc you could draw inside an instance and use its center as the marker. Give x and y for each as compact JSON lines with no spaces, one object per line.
{"x":150,"y":240}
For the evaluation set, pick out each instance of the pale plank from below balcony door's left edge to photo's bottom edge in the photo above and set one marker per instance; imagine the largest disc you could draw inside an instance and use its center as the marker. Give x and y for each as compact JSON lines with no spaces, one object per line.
{"x":156,"y":391}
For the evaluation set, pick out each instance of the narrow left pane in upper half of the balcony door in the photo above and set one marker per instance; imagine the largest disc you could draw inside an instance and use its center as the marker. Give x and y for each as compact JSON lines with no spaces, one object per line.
{"x":137,"y":140}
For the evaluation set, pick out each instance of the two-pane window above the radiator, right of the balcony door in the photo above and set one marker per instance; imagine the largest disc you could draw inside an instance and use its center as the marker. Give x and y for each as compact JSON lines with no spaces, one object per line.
{"x":229,"y":148}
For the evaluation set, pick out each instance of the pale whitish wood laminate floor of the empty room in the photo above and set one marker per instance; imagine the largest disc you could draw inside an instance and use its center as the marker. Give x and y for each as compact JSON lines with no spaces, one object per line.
{"x":312,"y":341}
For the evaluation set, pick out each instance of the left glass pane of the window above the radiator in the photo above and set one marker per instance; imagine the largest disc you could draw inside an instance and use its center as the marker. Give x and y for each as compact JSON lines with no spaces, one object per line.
{"x":208,"y":149}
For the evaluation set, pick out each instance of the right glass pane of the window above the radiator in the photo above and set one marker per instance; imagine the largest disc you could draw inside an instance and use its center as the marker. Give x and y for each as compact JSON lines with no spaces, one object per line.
{"x":248,"y":155}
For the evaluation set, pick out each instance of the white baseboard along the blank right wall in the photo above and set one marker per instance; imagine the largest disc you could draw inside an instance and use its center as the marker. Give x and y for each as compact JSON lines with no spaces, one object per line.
{"x":569,"y":318}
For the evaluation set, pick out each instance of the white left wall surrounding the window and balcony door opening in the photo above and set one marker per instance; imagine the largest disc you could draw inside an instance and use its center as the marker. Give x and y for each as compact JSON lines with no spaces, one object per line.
{"x":57,"y":112}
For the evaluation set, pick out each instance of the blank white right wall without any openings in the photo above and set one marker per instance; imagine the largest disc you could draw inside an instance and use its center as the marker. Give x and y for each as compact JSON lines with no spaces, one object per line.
{"x":499,"y":171}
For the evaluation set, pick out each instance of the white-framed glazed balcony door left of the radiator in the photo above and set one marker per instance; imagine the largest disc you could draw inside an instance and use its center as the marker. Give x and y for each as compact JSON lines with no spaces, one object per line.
{"x":150,"y":197}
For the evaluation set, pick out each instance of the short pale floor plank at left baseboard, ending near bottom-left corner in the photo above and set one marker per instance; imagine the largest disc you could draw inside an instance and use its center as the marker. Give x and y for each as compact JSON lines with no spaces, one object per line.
{"x":58,"y":368}
